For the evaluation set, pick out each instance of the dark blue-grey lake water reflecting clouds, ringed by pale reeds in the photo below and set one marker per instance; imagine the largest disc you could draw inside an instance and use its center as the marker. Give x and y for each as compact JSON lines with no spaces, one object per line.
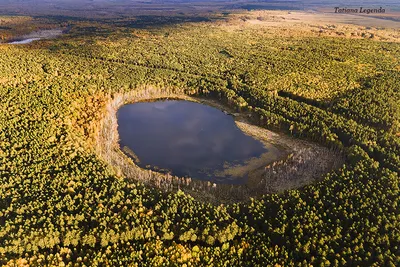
{"x":186,"y":138}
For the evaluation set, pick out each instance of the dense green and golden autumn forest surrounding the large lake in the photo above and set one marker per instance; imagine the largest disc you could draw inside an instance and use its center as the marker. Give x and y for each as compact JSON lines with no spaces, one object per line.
{"x":62,"y":204}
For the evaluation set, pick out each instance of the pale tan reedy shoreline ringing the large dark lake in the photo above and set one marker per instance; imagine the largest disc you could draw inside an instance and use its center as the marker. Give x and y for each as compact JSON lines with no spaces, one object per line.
{"x":273,"y":177}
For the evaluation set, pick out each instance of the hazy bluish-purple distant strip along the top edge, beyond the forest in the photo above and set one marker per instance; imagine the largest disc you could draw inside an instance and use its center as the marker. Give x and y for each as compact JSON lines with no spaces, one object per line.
{"x":109,"y":7}
